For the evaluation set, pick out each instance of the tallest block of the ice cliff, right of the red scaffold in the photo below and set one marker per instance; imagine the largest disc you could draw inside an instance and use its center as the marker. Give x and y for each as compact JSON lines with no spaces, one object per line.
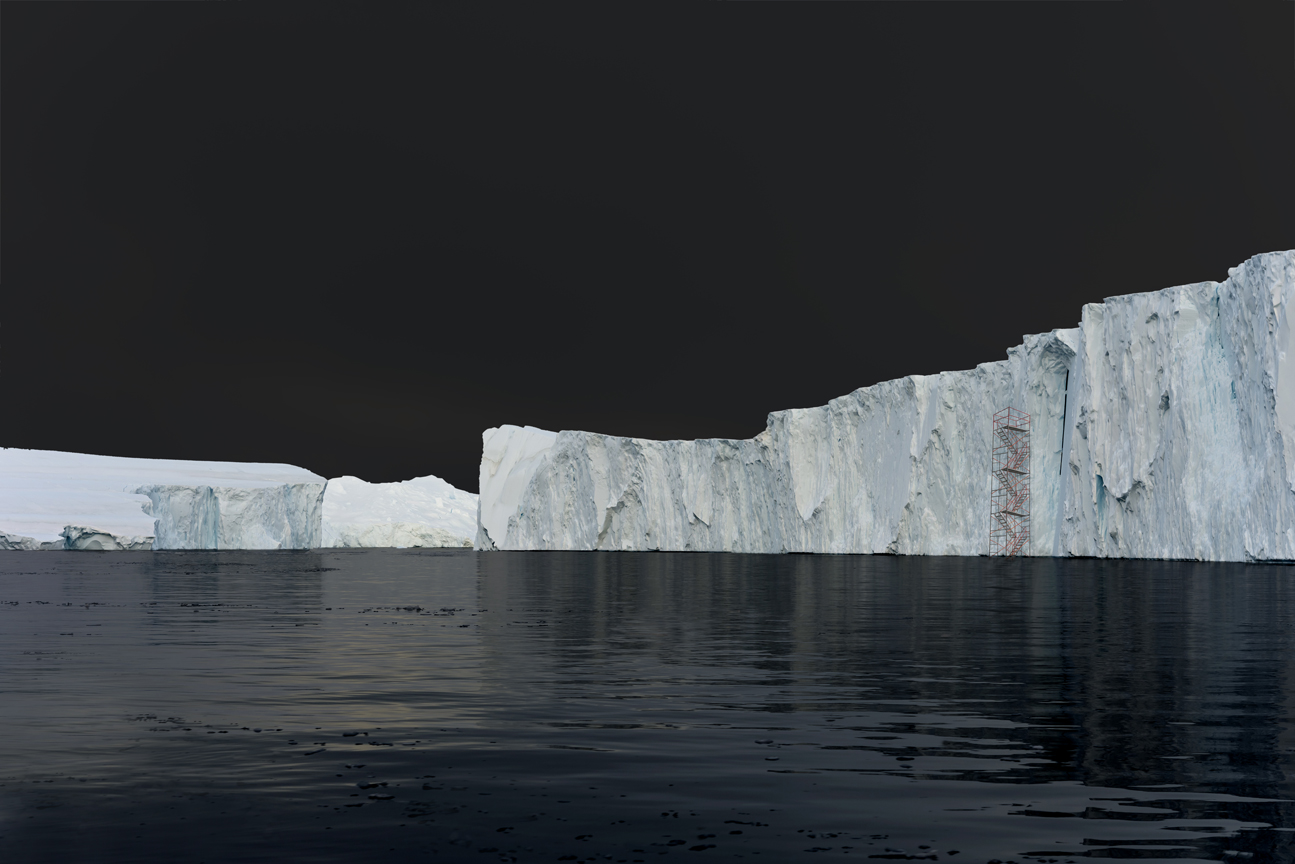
{"x":1183,"y":441}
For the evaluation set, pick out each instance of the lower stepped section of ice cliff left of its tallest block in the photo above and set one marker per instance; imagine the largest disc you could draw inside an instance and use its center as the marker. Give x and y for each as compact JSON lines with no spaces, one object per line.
{"x":901,"y":467}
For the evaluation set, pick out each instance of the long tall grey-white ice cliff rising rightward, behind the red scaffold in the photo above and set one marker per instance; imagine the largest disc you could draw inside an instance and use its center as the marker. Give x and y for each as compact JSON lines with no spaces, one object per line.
{"x":1164,"y":428}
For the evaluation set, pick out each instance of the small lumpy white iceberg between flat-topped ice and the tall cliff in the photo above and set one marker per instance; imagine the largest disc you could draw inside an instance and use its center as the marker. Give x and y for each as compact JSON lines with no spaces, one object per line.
{"x":423,"y":512}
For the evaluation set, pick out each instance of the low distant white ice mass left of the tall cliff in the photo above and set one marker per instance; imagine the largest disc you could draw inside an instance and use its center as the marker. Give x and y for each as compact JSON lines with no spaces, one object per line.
{"x":58,"y":501}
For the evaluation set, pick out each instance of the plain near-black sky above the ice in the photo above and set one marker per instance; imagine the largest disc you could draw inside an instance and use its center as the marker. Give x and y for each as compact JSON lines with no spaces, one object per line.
{"x":353,"y":238}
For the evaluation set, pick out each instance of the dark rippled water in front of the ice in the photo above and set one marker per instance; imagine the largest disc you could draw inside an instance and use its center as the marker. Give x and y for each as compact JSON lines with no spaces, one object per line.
{"x":454,"y":707}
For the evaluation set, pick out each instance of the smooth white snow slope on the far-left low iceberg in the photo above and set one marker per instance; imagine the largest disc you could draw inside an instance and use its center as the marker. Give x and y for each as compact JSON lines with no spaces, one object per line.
{"x":42,"y":492}
